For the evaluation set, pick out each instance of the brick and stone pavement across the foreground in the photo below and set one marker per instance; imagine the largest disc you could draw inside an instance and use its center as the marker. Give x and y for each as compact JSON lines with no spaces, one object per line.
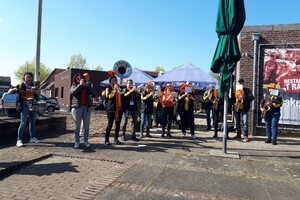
{"x":153,"y":168}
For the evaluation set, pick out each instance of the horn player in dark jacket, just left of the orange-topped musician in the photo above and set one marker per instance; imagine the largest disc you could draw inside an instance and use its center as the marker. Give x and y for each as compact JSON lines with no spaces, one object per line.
{"x":147,"y":108}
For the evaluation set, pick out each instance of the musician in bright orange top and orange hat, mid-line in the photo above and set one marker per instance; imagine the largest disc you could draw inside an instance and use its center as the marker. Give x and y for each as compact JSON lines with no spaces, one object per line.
{"x":167,"y":101}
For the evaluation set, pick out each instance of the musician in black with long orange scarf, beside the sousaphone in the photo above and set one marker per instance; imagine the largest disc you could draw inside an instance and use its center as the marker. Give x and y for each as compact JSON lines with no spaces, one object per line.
{"x":113,"y":108}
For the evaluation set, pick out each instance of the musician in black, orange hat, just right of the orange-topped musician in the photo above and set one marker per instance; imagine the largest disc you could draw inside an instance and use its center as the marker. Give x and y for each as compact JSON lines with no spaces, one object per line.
{"x":185,"y":108}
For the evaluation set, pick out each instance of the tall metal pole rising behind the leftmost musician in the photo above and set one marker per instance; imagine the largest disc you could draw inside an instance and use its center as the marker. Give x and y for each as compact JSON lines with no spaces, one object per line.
{"x":38,"y":45}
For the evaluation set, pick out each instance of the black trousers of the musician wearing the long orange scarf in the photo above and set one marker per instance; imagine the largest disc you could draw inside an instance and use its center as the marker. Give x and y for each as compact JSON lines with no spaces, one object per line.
{"x":111,"y":119}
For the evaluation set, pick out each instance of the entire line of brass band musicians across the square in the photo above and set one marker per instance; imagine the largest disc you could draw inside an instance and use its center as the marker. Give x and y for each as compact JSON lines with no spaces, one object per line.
{"x":150,"y":99}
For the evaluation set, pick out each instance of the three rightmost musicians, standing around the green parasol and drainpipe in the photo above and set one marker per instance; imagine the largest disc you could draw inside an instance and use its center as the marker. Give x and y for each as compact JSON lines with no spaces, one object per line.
{"x":239,"y":104}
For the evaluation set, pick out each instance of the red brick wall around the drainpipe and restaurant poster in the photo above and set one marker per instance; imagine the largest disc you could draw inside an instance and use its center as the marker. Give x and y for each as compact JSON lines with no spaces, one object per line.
{"x":273,"y":36}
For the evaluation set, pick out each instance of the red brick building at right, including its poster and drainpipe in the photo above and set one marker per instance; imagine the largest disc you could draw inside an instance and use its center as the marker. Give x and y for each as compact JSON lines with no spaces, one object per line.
{"x":255,"y":42}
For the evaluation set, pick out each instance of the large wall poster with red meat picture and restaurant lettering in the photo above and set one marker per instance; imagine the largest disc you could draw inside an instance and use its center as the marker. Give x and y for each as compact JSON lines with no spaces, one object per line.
{"x":282,"y":66}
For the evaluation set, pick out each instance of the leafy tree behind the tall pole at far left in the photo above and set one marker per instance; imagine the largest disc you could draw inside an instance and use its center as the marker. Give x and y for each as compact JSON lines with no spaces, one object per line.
{"x":29,"y":66}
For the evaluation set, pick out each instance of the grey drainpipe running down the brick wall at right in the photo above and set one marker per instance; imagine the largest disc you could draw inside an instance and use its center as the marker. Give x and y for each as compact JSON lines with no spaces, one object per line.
{"x":255,"y":38}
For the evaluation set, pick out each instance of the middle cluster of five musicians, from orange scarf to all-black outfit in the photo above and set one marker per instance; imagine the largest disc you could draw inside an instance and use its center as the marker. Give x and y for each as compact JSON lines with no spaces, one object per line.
{"x":125,"y":101}
